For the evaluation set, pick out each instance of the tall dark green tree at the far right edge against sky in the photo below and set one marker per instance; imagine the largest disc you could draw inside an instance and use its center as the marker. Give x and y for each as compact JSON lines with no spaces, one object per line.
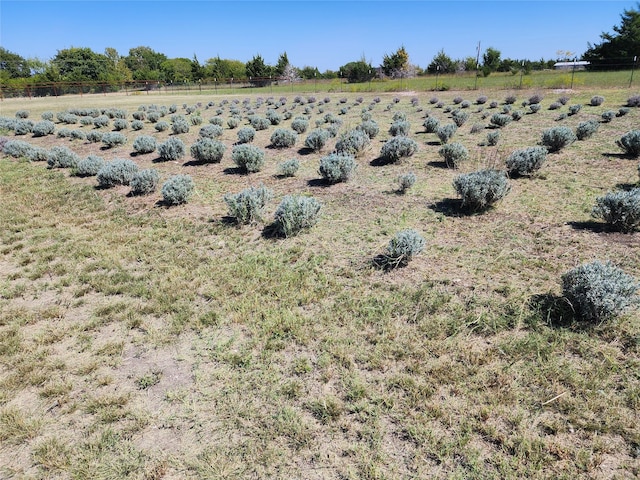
{"x":619,"y":47}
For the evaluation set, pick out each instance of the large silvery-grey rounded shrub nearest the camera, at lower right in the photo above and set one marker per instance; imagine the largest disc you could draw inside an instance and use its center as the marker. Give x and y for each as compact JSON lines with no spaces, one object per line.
{"x":599,"y":291}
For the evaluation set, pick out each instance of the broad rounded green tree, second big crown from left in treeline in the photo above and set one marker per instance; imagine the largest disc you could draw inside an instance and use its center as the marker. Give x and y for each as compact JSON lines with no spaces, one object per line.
{"x":81,"y":64}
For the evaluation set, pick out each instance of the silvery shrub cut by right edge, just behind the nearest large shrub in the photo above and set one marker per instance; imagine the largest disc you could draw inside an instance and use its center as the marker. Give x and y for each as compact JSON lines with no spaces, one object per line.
{"x":620,"y":210}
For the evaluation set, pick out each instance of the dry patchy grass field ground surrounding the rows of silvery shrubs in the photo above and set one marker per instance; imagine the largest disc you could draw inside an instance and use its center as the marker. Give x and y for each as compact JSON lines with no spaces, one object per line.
{"x":150,"y":342}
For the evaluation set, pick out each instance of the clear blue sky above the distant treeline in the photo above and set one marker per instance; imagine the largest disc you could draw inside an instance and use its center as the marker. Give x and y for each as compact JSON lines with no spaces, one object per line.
{"x":326,"y":34}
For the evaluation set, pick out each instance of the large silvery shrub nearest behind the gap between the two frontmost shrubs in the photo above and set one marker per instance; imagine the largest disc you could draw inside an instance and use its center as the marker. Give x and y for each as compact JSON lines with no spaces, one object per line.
{"x":480,"y":190}
